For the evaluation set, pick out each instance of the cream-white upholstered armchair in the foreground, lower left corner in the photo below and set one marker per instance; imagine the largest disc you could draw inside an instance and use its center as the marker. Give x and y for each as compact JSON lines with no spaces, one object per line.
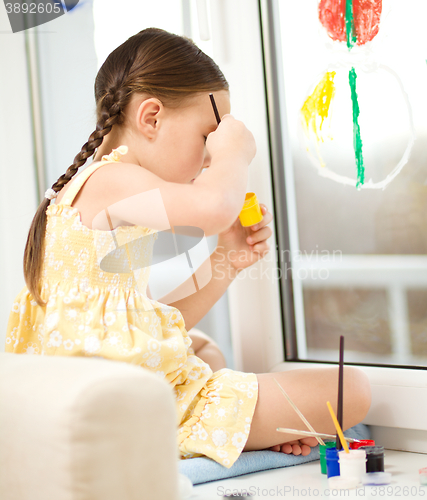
{"x":74,"y":428}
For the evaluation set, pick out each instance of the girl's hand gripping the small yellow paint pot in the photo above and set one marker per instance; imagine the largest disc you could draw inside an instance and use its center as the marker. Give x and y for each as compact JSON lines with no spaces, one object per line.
{"x":243,"y":246}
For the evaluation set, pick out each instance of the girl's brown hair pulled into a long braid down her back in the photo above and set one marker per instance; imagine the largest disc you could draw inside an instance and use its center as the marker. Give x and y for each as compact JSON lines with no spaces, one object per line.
{"x":152,"y":62}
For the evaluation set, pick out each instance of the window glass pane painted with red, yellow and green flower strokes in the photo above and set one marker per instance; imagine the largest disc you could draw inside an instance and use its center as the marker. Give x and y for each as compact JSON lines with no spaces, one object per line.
{"x":355,"y":113}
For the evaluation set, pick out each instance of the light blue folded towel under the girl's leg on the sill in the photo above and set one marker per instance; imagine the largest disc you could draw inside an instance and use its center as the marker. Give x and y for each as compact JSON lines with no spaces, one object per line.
{"x":203,"y":469}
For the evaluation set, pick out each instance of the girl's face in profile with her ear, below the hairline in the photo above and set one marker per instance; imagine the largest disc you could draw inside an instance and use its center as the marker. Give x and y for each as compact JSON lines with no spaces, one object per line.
{"x":175,"y":150}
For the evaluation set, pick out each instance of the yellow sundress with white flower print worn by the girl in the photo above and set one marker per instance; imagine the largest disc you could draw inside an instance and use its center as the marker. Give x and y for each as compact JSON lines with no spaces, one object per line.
{"x":91,"y":312}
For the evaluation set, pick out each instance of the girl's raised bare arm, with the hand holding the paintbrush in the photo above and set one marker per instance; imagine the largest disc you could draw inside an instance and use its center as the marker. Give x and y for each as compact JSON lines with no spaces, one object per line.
{"x":140,"y":197}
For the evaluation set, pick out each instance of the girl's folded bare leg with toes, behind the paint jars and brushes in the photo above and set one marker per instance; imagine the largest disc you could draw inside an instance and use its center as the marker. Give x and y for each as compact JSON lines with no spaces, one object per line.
{"x":309,"y":389}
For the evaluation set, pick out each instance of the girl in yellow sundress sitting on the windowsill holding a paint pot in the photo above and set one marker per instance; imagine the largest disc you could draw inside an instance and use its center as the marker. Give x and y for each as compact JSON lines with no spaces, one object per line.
{"x":155,"y":133}
